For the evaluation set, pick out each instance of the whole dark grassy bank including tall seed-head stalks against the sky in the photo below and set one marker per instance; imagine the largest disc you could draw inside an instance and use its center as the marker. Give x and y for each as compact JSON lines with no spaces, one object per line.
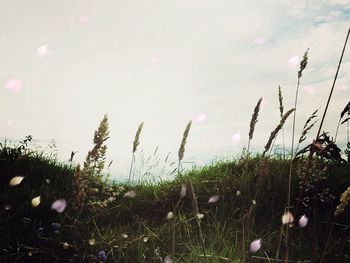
{"x":105,"y":221}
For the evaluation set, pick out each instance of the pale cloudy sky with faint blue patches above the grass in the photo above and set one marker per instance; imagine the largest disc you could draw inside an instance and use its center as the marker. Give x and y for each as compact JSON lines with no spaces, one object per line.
{"x":64,"y":64}
